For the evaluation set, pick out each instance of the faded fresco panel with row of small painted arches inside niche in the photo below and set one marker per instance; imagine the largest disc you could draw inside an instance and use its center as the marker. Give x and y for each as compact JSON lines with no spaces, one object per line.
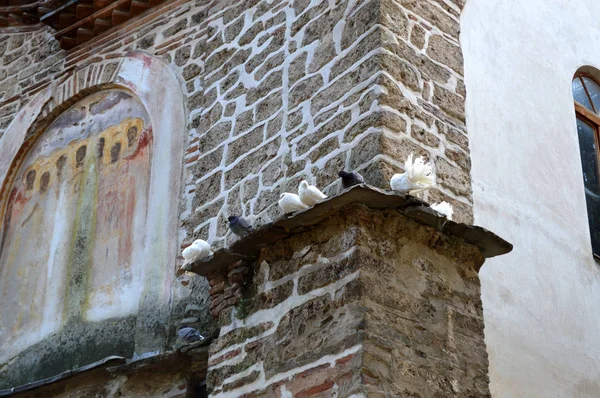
{"x":74,"y":222}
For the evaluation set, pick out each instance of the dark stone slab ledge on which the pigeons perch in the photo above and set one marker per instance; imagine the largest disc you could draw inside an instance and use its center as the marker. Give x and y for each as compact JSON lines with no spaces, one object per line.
{"x":248,"y":248}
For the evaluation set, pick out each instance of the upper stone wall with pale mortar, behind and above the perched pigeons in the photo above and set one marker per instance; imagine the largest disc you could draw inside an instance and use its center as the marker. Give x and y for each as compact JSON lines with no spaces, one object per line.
{"x":277,"y":91}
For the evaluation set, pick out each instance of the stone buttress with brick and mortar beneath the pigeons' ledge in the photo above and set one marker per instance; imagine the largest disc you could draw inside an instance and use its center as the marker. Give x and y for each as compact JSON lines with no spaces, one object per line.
{"x":368,"y":303}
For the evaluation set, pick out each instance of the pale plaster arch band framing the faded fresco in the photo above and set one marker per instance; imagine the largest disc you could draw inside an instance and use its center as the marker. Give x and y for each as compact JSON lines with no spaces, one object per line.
{"x":159,"y":91}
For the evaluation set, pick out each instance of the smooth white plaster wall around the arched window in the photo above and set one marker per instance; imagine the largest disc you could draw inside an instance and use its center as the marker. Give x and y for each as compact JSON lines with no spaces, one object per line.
{"x":542,"y":301}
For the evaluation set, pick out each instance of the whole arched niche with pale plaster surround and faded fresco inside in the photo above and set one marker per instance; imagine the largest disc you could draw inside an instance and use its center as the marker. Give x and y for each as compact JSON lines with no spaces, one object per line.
{"x":89,"y":210}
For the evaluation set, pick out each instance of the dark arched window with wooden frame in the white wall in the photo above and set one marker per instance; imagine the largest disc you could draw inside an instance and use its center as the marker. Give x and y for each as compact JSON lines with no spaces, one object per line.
{"x":586,"y":93}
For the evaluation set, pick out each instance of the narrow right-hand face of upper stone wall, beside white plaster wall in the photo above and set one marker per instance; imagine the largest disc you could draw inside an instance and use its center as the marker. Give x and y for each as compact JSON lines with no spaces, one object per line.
{"x":423,"y":84}
